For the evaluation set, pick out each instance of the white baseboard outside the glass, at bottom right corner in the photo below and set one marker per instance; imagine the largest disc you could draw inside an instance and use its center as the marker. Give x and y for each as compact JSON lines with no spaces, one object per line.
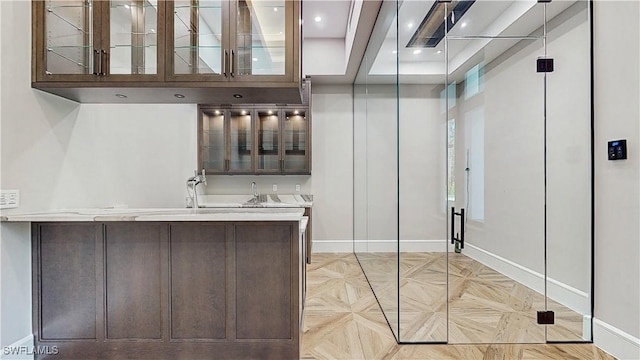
{"x":615,"y":341}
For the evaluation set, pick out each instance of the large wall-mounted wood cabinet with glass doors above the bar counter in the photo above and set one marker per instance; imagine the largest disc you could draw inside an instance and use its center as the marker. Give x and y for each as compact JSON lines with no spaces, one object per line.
{"x":157,"y":51}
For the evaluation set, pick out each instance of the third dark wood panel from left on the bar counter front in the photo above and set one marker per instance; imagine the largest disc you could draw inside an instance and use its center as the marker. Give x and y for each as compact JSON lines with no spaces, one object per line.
{"x":198,"y":281}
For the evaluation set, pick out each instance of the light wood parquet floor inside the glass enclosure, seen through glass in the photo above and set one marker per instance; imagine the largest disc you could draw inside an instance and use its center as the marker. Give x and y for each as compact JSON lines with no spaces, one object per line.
{"x":485,"y":306}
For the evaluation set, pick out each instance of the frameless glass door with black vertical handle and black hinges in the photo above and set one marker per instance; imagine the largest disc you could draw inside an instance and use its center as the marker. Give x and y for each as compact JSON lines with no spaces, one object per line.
{"x":496,"y":176}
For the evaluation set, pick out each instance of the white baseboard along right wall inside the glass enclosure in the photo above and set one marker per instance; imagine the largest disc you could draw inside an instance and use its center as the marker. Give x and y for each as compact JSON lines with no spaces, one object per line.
{"x":575,"y":299}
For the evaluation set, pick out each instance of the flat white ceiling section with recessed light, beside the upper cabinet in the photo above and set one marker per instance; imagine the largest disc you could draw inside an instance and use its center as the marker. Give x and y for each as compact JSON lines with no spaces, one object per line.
{"x":334,"y":16}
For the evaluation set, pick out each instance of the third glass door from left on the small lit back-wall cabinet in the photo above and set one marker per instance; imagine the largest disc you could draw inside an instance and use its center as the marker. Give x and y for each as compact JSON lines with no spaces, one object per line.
{"x":268,"y":132}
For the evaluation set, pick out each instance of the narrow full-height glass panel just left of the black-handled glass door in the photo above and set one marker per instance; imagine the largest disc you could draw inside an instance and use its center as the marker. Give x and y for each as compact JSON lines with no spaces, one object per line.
{"x":422,"y":188}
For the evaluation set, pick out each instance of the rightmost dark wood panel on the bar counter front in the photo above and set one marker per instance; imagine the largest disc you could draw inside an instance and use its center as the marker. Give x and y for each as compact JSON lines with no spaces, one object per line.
{"x":264,"y":279}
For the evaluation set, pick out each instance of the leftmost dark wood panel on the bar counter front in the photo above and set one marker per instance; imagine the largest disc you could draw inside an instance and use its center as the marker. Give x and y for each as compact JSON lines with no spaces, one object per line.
{"x":67,"y":287}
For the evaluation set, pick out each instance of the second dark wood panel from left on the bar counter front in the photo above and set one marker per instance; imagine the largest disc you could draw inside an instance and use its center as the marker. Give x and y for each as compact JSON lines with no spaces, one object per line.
{"x":133,"y":281}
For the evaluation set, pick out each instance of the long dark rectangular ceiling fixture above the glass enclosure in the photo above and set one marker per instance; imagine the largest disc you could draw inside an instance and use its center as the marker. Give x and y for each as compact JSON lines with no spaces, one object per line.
{"x":431,"y":29}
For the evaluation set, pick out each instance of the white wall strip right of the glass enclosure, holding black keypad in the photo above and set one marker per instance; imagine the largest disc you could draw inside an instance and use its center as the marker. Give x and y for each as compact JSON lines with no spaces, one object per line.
{"x":617,"y":114}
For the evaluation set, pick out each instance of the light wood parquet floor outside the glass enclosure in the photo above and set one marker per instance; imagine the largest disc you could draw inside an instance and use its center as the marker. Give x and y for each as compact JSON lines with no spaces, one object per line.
{"x":342,"y":320}
